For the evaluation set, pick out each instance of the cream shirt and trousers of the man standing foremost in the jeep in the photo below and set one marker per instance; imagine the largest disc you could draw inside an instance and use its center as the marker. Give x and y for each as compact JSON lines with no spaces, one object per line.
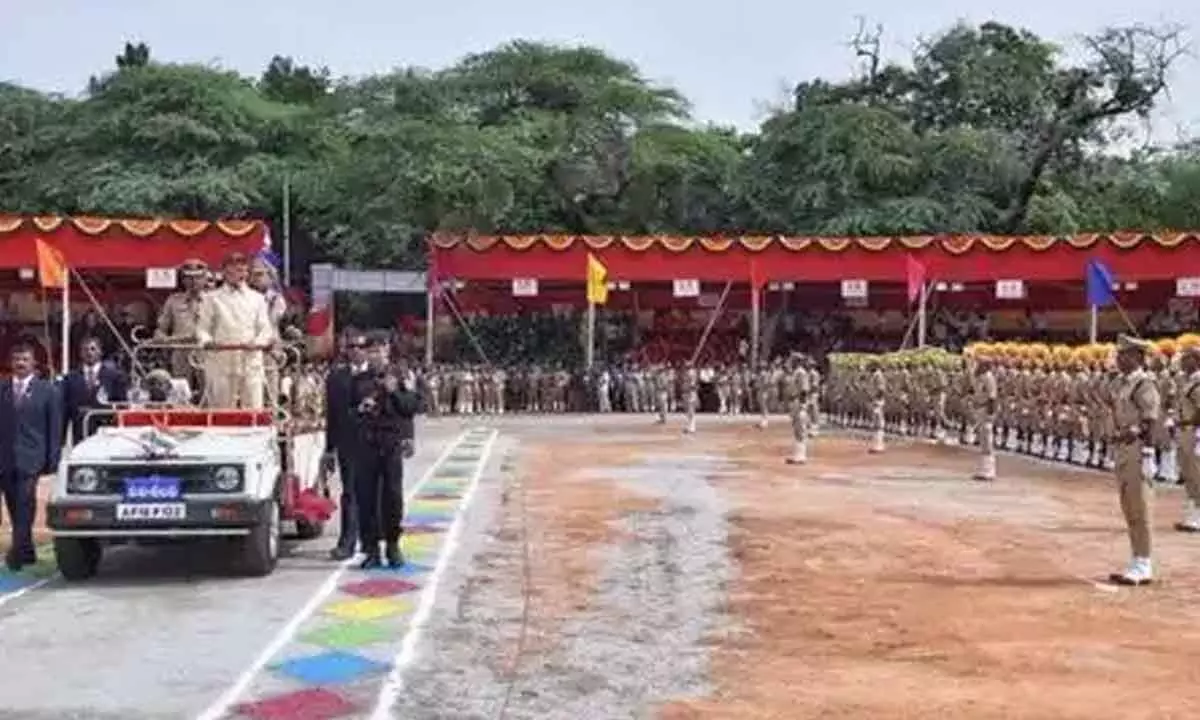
{"x":235,"y":316}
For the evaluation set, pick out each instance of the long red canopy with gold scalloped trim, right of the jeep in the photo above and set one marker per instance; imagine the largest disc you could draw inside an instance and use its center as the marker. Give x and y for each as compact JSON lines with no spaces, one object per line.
{"x":1034,"y":272}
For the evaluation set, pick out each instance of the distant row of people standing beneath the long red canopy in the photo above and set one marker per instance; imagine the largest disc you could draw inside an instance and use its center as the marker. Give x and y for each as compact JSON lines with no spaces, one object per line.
{"x":737,"y":389}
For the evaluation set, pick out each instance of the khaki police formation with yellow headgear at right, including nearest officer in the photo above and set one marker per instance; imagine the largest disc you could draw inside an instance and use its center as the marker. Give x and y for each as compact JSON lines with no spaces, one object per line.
{"x":1132,"y":407}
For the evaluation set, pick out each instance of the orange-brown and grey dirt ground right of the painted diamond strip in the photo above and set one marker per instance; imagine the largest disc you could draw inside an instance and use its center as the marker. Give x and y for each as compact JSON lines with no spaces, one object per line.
{"x":632,"y":572}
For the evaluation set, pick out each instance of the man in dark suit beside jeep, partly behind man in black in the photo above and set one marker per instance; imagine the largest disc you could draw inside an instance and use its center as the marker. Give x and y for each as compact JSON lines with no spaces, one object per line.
{"x":344,"y":437}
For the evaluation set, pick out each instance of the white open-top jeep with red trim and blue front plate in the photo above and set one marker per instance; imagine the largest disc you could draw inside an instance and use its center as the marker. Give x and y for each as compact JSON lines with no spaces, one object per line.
{"x":167,"y":473}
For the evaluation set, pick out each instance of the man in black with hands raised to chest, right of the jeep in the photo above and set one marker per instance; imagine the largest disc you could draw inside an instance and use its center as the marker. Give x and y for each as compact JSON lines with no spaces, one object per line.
{"x":386,"y":410}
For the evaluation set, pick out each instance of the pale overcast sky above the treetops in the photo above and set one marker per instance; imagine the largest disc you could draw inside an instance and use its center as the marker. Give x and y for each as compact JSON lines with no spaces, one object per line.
{"x":731,"y":59}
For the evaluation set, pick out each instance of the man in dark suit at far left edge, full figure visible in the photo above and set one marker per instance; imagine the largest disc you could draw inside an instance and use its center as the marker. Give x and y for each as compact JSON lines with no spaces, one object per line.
{"x":31,"y":442}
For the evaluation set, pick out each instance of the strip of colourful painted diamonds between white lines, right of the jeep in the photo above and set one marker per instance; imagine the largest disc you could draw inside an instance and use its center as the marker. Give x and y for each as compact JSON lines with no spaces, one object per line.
{"x":340,"y":658}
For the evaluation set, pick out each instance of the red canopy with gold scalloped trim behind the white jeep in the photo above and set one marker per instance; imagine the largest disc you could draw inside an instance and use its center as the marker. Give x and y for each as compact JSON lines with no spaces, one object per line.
{"x":118,"y":256}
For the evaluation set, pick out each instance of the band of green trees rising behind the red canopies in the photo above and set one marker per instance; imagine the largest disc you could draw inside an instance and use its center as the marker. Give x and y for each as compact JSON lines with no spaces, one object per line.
{"x":985,"y":129}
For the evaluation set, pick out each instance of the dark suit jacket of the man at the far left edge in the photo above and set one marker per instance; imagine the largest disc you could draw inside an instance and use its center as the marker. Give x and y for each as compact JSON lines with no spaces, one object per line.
{"x":31,"y":431}
